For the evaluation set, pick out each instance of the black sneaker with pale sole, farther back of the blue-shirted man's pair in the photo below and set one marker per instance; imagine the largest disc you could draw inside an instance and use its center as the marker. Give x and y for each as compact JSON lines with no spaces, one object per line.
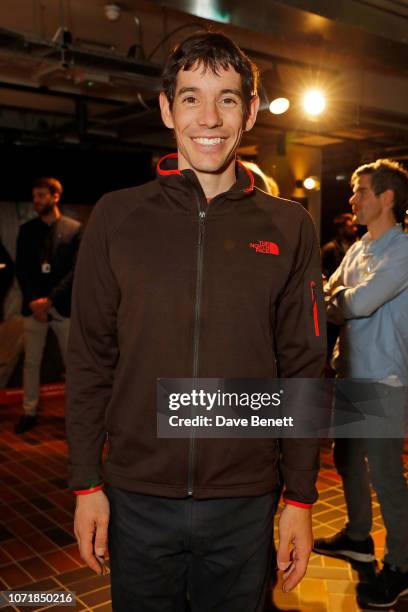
{"x":343,"y":547}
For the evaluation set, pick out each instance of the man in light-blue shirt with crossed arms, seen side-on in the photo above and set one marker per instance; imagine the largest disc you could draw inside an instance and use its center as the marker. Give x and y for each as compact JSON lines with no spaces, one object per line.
{"x":369,"y":294}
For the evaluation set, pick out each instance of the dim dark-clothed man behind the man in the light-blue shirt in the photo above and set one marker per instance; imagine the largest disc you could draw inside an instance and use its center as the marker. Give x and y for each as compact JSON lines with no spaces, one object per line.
{"x":334,"y":251}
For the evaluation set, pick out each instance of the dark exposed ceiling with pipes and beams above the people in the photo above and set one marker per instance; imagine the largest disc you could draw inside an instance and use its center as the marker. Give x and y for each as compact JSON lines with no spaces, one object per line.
{"x":70,"y":76}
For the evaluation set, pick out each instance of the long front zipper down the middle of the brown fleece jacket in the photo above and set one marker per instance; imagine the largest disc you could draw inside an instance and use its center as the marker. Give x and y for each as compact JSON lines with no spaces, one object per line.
{"x":196,"y":340}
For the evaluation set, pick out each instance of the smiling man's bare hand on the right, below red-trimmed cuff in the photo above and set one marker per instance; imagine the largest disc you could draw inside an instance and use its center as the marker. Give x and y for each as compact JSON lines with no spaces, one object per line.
{"x":295,"y":544}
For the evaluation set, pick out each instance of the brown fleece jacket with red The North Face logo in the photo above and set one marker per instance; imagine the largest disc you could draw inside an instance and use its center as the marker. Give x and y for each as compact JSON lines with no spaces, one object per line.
{"x":169,"y":286}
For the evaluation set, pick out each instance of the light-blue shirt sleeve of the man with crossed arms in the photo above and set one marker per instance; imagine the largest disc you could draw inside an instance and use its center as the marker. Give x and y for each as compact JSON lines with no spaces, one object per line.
{"x":384,"y":283}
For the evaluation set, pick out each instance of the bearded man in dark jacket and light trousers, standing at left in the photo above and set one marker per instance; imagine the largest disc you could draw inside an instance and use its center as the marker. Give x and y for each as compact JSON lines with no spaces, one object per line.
{"x":46,"y":252}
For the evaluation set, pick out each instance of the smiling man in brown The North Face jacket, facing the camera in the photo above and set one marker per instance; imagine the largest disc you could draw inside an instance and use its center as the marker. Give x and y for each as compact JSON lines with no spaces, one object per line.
{"x":169,"y":284}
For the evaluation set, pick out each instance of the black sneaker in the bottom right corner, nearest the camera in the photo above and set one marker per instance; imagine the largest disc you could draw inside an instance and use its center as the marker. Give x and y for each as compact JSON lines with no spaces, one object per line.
{"x":385,"y":590}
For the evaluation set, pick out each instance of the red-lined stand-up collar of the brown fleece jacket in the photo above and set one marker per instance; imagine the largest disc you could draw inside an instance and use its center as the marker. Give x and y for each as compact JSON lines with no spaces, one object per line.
{"x":169,"y":175}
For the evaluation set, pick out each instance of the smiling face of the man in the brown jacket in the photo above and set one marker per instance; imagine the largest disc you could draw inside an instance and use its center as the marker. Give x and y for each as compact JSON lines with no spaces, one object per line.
{"x":208,"y":118}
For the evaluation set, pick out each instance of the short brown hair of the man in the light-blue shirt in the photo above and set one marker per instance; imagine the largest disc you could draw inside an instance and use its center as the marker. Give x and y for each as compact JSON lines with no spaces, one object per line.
{"x":387,"y":174}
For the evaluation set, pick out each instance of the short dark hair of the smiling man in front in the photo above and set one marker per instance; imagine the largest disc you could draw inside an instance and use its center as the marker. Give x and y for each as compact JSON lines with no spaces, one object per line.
{"x":212,"y":50}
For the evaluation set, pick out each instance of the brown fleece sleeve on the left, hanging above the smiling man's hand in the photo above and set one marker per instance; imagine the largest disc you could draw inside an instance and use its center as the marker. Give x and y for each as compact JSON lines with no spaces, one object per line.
{"x":92,"y":353}
